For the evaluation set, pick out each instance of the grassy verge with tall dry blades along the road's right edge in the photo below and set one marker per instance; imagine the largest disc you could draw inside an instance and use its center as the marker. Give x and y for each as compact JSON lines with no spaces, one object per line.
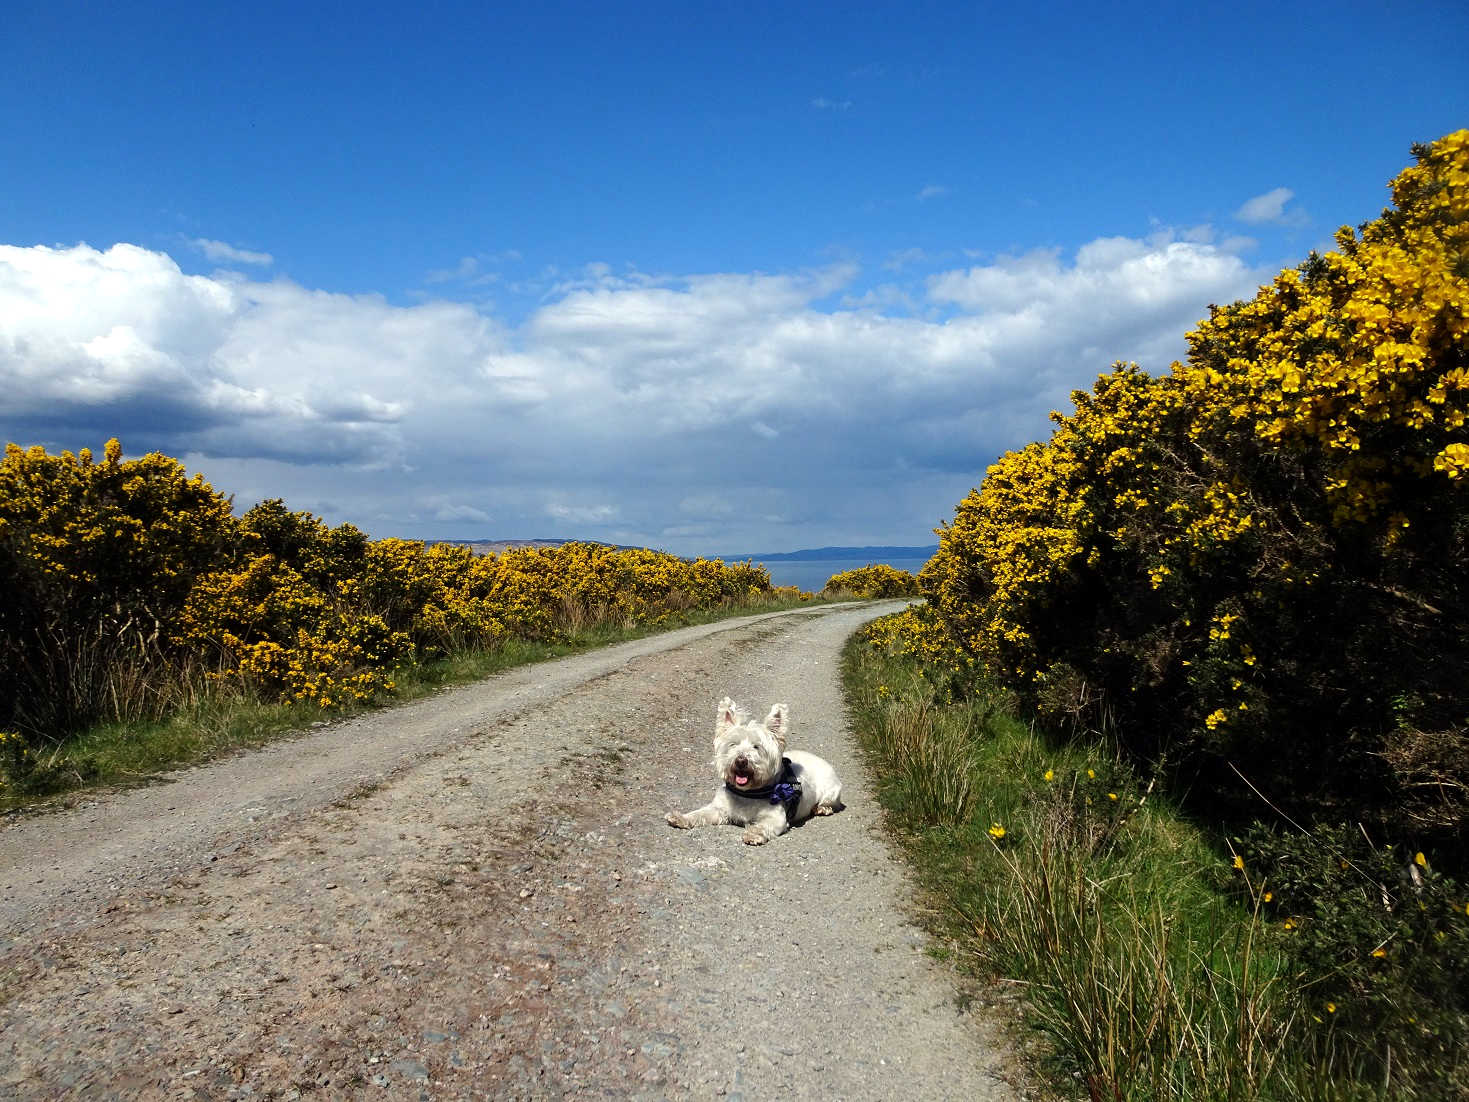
{"x":1152,"y":965}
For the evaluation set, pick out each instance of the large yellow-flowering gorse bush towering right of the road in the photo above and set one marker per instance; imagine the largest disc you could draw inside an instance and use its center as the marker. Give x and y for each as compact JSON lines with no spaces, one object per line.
{"x":1260,"y":558}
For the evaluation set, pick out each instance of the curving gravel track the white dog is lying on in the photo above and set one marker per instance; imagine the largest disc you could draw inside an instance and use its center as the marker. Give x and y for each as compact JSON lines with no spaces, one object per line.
{"x":477,"y":897}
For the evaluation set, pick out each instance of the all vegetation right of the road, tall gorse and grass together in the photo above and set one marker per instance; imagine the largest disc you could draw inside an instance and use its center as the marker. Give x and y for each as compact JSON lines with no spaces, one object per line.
{"x":1226,"y":857}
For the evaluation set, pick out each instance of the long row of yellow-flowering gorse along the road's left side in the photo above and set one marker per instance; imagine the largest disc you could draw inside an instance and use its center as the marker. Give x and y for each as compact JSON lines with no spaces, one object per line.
{"x":134,"y":575}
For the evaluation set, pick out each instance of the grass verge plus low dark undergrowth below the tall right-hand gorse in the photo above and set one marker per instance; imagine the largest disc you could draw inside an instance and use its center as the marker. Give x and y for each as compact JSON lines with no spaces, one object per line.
{"x":1157,"y":959}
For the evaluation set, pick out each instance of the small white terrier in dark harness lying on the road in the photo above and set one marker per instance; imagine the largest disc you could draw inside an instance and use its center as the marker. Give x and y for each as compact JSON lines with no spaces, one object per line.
{"x":766,"y":790}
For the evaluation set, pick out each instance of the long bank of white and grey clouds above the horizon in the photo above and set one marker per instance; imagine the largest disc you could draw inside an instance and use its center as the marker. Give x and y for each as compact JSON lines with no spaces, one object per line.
{"x":707,"y":414}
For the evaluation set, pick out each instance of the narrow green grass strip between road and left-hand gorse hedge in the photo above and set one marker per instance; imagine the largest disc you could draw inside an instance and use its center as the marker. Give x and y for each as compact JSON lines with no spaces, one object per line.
{"x":215,"y":721}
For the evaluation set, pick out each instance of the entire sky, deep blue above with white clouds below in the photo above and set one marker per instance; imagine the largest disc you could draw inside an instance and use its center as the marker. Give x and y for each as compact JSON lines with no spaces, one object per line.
{"x":707,"y":278}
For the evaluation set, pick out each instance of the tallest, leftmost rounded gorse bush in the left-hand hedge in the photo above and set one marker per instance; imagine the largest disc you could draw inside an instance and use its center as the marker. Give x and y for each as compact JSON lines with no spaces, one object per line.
{"x":98,"y":559}
